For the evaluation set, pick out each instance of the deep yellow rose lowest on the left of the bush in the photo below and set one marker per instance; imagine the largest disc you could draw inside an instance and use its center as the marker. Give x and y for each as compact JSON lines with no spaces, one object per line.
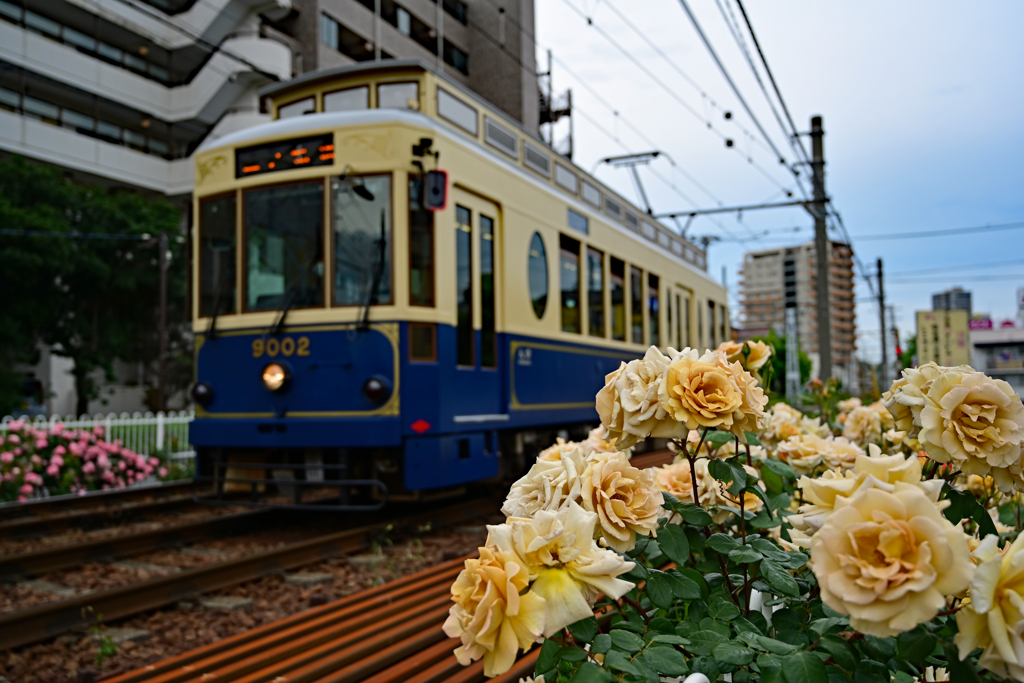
{"x":494,"y":615}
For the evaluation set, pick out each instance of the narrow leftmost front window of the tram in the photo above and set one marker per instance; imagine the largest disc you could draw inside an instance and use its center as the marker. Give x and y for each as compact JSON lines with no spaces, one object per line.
{"x":217,"y":255}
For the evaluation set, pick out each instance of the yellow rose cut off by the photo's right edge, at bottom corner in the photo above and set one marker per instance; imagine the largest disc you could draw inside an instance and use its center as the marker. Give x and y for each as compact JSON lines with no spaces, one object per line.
{"x":994,"y":618}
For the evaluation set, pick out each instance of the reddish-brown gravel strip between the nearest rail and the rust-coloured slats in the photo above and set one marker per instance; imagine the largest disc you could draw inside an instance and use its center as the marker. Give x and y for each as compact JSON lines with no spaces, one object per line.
{"x":176,"y":630}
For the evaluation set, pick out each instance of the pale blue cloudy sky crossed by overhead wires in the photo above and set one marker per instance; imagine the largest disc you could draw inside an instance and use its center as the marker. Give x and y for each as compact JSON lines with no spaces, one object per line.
{"x":924,"y":118}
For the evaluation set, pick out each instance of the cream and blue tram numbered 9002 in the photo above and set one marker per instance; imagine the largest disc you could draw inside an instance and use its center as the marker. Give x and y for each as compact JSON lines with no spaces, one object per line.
{"x":399,"y":291}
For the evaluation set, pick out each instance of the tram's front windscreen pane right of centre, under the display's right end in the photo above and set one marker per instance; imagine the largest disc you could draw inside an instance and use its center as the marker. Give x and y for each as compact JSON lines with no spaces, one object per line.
{"x":361,"y":218}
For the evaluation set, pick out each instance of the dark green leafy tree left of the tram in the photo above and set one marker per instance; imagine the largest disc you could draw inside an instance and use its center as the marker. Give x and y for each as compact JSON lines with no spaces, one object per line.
{"x":93,"y":301}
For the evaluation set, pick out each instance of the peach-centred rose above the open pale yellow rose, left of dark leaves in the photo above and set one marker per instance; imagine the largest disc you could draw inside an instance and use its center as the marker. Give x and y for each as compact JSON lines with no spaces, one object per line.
{"x":626,"y":499}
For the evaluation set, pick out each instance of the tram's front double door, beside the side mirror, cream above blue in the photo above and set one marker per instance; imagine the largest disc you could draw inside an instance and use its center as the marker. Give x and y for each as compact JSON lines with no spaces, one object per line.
{"x":478,"y":392}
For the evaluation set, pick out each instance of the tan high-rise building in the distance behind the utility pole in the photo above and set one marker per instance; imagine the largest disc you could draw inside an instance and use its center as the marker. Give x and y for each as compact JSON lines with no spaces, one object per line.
{"x":775,"y":278}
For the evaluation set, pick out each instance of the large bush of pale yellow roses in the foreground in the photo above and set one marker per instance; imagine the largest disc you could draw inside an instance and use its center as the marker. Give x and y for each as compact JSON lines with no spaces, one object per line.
{"x":883,"y":545}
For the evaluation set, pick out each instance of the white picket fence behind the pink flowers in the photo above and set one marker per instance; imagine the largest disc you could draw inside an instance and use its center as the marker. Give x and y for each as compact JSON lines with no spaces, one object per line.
{"x":144,"y":434}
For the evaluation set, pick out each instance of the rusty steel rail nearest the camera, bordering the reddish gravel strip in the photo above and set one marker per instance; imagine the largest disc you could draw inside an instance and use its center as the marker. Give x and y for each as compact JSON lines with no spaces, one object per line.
{"x":49,"y":620}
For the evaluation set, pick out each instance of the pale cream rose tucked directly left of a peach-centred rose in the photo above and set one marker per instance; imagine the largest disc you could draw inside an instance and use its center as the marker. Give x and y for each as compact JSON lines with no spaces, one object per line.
{"x":549,"y":485}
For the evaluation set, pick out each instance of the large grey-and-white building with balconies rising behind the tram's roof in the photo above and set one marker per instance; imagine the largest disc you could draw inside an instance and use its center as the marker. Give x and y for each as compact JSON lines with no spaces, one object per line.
{"x":123,"y":93}
